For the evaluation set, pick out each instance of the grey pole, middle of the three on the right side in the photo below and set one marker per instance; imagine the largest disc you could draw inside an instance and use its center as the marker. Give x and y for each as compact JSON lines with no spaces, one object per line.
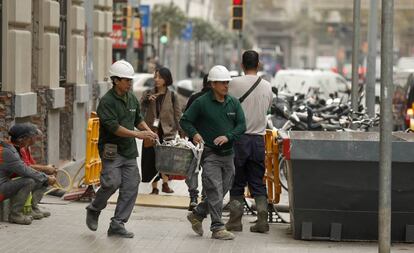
{"x":372,"y":57}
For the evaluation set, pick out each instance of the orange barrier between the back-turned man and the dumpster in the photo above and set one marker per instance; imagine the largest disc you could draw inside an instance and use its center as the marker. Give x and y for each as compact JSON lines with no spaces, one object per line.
{"x":271,"y":178}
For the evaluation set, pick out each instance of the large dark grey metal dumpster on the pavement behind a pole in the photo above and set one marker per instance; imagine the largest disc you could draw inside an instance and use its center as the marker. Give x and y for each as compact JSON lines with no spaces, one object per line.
{"x":333,"y":185}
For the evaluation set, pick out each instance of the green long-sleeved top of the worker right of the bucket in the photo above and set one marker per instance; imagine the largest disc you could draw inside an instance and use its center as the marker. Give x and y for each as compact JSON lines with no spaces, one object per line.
{"x":211,"y":119}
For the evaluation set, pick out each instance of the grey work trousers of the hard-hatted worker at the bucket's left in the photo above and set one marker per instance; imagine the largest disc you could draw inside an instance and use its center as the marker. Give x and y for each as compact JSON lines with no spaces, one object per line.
{"x":120,"y":173}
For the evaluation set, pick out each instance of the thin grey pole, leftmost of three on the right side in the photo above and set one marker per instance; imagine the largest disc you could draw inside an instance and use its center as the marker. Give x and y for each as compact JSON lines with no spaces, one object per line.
{"x":355,"y":54}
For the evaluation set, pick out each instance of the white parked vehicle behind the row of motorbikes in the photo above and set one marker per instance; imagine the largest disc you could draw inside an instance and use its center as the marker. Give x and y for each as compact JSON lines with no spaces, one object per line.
{"x":324,"y":84}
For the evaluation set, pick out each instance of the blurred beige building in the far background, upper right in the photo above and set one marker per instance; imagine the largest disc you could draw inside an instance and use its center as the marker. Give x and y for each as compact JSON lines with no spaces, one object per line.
{"x":305,"y":29}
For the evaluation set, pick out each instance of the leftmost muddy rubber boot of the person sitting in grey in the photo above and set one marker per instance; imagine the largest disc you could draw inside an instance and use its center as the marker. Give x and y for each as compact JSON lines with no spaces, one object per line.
{"x":17,"y":203}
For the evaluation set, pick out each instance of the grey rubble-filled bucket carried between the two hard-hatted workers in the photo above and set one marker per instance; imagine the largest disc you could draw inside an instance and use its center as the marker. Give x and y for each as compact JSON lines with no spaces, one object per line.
{"x":173,"y":160}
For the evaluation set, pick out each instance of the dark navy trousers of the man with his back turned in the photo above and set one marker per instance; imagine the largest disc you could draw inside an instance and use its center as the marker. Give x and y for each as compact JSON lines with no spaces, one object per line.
{"x":249,"y":163}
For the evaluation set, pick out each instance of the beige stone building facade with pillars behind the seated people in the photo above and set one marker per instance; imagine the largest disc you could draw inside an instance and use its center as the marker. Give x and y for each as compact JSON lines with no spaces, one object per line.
{"x":53,"y":70}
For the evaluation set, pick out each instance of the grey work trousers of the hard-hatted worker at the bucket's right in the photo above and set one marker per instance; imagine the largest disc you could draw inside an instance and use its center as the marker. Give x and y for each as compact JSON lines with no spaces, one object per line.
{"x":217,"y":177}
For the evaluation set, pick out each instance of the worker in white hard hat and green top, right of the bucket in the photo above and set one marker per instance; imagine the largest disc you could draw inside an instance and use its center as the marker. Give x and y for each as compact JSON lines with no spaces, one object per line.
{"x":217,"y":120}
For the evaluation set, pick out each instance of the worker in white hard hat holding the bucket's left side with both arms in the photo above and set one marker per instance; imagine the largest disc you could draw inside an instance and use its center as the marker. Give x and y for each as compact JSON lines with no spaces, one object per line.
{"x":119,"y":114}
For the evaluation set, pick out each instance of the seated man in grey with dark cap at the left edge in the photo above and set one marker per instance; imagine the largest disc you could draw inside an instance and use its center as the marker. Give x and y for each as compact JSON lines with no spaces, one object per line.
{"x":30,"y":180}
